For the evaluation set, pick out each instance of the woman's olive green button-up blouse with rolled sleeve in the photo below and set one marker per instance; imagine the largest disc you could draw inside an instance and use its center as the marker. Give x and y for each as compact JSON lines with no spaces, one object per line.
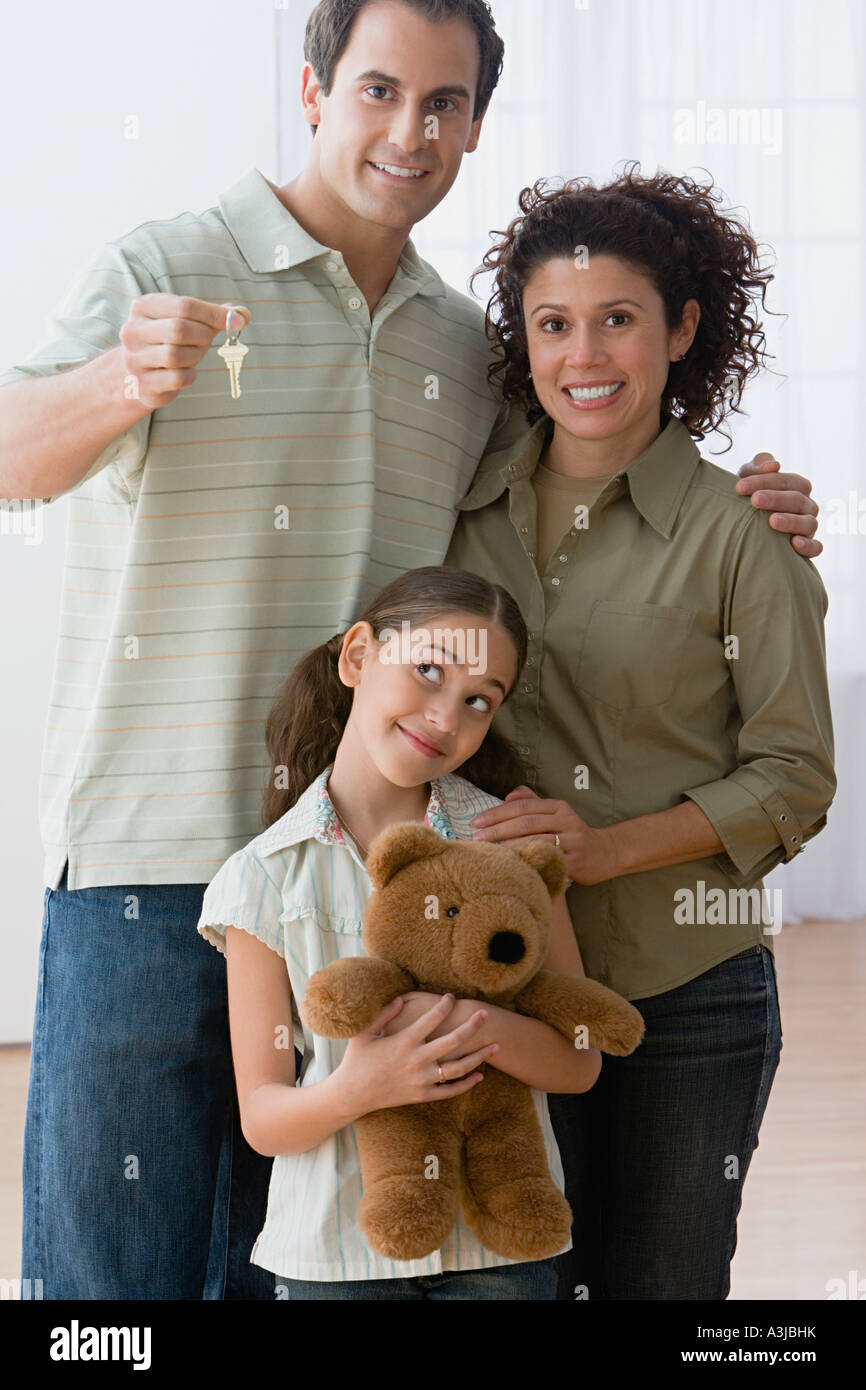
{"x":676,"y":651}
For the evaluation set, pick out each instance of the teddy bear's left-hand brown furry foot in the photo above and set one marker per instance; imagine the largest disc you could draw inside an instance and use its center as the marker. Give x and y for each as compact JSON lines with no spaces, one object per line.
{"x":407,"y":1218}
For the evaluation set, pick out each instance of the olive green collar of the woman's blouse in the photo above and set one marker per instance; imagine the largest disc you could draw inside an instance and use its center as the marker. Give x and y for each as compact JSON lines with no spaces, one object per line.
{"x":657,"y":480}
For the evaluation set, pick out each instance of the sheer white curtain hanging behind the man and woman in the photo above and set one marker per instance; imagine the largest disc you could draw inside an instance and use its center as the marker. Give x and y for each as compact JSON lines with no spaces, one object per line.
{"x":771,"y":101}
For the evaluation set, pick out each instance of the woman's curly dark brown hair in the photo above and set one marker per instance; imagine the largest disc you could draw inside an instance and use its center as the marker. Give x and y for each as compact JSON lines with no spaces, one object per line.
{"x":668,"y":227}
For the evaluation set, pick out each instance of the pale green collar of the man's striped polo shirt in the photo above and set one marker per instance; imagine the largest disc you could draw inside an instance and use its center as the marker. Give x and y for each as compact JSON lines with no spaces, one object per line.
{"x":259,"y":223}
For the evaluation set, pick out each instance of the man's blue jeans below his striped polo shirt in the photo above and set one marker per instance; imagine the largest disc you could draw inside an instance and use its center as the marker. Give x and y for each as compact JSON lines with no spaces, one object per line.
{"x":138,"y":1182}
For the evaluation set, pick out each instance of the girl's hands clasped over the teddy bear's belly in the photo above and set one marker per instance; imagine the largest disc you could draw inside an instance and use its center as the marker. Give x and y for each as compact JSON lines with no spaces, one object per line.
{"x":380,"y":1071}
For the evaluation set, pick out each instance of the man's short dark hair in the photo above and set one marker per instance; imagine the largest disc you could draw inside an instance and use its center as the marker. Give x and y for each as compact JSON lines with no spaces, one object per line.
{"x":330,"y":30}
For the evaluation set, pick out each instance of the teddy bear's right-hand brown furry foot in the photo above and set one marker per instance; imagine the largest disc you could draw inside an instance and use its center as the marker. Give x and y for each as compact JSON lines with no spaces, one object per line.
{"x":526,"y":1220}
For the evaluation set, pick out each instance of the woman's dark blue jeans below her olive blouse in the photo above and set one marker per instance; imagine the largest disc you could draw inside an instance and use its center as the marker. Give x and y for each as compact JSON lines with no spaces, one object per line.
{"x":657,"y":1154}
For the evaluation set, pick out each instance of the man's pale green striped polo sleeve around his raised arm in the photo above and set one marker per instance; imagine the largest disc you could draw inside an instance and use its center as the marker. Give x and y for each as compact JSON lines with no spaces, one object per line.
{"x":85,"y":326}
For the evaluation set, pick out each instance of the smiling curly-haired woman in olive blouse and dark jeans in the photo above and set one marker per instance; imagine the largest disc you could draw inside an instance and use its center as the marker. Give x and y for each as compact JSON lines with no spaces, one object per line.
{"x":673,"y":710}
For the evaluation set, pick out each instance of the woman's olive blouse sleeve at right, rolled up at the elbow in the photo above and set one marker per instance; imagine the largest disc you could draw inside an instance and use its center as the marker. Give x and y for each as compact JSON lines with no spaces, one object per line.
{"x":779,"y":794}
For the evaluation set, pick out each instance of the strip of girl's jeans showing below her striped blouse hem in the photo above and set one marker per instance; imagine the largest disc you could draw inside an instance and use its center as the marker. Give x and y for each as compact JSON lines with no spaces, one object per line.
{"x":533,"y":1279}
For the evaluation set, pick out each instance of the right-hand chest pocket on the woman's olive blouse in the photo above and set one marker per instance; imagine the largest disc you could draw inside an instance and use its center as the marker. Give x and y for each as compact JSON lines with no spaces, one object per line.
{"x":632,"y":654}
